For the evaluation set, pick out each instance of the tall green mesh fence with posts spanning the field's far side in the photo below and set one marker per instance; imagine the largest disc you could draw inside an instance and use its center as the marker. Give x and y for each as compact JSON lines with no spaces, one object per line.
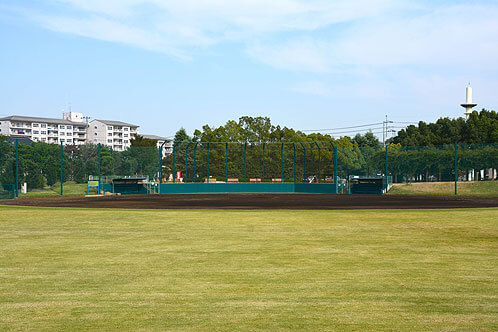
{"x":241,"y":167}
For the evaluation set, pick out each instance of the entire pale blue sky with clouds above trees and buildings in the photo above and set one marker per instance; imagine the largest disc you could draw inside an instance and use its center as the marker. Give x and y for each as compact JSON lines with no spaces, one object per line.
{"x":307,"y":64}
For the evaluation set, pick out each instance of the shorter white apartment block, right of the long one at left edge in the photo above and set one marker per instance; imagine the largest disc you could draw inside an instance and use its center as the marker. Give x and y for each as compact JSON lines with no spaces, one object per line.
{"x":114,"y":134}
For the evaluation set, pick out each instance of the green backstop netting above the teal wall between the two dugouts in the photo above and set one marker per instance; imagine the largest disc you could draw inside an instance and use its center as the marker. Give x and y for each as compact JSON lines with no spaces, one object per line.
{"x":252,"y":162}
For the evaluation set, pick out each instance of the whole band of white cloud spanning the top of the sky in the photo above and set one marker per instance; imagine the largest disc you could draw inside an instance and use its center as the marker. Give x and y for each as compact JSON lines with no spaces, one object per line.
{"x":296,"y":35}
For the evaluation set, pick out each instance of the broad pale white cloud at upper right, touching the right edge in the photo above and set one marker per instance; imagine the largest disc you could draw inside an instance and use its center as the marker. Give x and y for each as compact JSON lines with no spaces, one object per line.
{"x":442,"y":37}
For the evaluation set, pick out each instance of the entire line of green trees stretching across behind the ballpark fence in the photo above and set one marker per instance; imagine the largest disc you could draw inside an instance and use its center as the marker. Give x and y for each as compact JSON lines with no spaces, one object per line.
{"x":424,"y":152}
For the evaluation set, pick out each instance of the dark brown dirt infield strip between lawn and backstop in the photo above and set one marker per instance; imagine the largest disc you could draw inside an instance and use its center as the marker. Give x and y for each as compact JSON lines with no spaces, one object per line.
{"x":260,"y":201}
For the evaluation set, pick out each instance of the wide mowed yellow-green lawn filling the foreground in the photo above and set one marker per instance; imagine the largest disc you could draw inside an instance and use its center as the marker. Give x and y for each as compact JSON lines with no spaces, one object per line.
{"x":129,"y":270}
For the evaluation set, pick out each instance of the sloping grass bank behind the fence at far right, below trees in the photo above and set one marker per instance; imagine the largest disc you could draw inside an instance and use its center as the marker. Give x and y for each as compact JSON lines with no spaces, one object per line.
{"x":478,"y":188}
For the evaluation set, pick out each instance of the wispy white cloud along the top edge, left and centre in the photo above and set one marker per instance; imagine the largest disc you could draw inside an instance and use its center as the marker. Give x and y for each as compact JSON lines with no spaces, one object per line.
{"x":179,"y":27}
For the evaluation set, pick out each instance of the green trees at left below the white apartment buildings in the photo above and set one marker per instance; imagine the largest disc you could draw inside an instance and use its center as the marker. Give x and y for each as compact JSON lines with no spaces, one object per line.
{"x":40,"y":163}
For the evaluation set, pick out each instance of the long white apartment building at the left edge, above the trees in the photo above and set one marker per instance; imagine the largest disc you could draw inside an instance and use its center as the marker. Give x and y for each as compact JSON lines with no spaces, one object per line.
{"x":71,"y":130}
